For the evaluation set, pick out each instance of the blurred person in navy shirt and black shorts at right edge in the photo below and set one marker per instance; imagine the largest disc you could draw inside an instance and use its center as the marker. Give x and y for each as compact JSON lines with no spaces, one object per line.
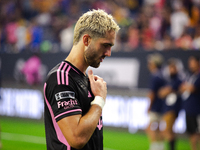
{"x":191,"y":102}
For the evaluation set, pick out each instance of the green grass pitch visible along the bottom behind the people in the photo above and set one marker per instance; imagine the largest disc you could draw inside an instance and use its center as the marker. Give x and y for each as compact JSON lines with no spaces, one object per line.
{"x":20,"y":134}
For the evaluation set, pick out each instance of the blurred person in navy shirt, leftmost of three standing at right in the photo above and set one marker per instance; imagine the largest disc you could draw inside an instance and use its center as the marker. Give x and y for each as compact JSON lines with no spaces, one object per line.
{"x":155,"y":62}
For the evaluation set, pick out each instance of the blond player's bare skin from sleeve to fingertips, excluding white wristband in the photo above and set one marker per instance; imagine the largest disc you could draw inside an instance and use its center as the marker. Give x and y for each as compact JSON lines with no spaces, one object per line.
{"x":78,"y":129}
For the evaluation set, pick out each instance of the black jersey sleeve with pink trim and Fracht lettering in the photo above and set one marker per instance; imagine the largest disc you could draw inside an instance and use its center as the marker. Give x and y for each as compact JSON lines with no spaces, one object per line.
{"x":63,"y":101}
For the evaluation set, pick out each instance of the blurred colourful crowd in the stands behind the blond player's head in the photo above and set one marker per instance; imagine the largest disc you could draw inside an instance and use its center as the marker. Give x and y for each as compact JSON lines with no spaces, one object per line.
{"x":47,"y":26}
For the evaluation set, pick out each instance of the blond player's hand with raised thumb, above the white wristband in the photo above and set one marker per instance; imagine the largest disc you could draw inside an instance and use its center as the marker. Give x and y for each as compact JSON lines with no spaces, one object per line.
{"x":98,"y":85}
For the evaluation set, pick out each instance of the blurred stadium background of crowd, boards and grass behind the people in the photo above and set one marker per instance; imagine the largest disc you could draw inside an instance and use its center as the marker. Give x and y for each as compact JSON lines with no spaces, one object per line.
{"x":42,"y":31}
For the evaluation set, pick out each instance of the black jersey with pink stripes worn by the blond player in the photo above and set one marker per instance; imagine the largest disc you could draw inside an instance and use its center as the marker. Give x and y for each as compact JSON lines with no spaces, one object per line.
{"x":67,"y":92}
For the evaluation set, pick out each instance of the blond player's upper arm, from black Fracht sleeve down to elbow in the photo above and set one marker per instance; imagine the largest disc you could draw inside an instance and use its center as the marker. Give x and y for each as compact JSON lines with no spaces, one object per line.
{"x":67,"y":111}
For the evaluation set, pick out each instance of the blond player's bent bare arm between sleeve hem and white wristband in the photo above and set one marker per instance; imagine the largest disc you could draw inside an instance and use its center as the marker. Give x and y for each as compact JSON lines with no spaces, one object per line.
{"x":78,"y":129}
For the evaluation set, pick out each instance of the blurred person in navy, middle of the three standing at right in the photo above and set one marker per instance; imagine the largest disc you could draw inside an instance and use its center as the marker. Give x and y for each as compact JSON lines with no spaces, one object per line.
{"x":172,"y":102}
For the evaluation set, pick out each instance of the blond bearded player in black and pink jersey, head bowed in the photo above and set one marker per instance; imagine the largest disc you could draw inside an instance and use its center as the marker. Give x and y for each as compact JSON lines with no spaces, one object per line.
{"x":73,"y":99}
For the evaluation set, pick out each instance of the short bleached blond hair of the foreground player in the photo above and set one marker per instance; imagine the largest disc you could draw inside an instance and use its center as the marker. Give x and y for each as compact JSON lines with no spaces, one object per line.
{"x":95,"y":23}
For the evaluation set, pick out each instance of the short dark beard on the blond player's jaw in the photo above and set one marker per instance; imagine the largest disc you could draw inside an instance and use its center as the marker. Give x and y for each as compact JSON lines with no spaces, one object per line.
{"x":91,"y":57}
